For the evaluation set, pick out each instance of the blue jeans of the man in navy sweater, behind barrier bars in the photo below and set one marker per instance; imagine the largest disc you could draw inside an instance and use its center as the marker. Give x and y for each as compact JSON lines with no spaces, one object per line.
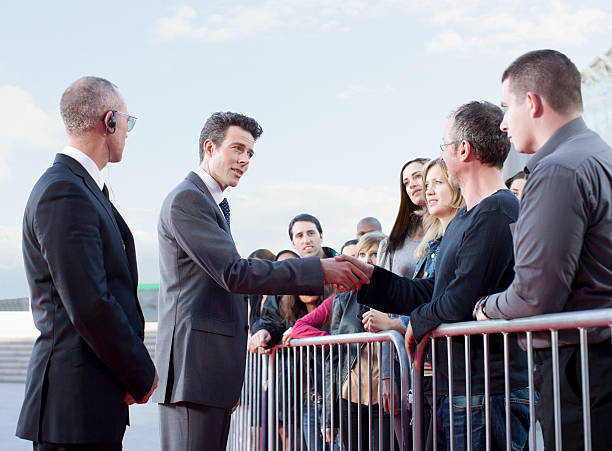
{"x":519,"y":417}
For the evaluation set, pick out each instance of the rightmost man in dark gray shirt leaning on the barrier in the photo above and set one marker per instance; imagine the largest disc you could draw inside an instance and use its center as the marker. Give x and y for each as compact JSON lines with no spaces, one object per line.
{"x":563,"y":239}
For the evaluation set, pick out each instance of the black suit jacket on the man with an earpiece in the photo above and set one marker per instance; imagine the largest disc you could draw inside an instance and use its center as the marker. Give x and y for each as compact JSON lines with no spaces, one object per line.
{"x":81,"y":268}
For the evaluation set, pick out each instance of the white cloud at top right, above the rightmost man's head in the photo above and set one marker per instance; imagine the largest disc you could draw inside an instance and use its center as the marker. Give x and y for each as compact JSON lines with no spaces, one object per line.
{"x":490,"y":28}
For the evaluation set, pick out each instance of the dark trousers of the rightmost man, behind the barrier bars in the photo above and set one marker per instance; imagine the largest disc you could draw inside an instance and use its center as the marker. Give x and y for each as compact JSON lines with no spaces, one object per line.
{"x":600,"y":390}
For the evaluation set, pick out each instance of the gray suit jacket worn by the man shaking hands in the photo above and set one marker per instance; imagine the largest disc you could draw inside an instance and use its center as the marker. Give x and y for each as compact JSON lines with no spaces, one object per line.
{"x":202,"y":329}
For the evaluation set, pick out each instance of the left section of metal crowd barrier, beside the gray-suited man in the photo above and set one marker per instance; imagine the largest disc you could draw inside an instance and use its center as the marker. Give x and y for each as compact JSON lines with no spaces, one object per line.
{"x":271,"y":413}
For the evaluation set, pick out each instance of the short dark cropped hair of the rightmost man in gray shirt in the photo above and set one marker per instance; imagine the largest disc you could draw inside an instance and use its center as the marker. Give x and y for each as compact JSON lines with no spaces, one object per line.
{"x":549,"y":74}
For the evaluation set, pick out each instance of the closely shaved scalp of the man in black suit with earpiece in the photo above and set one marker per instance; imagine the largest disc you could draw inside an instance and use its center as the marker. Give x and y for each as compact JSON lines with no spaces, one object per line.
{"x":85,"y":101}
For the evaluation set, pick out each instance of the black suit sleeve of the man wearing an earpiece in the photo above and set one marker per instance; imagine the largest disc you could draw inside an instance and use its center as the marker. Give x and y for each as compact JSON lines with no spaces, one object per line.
{"x":67,"y":227}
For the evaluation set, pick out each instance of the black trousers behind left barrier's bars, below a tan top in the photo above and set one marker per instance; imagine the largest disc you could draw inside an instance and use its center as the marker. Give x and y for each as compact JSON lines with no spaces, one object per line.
{"x":367,"y":436}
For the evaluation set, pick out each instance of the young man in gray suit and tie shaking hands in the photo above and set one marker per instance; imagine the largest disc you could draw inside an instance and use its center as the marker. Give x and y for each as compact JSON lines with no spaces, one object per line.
{"x":202,"y":329}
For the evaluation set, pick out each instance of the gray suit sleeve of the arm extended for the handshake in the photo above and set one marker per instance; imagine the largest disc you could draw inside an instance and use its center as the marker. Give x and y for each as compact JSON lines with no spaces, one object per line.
{"x":194,"y":225}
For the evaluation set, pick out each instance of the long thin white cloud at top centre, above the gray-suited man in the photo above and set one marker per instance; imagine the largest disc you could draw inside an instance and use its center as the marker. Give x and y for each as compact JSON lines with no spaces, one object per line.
{"x":241,"y":21}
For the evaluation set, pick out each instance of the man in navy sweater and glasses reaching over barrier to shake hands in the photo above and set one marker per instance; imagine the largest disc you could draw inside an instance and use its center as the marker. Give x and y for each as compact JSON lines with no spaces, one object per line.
{"x":474,"y":259}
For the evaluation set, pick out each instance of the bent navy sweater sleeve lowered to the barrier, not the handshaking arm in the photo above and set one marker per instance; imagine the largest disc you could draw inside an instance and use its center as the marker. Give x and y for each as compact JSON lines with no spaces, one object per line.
{"x":484,"y":256}
